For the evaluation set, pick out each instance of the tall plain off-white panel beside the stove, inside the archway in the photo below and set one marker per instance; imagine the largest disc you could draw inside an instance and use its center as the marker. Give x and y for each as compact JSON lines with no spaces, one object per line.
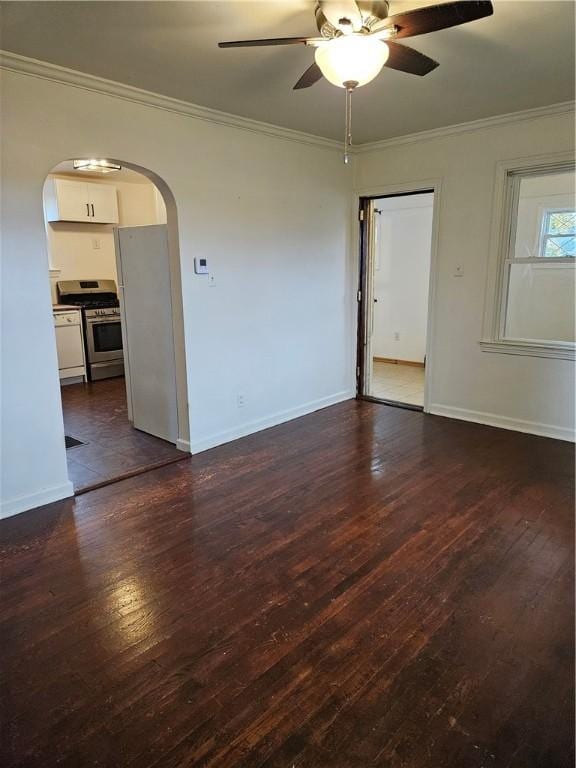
{"x":146,"y":307}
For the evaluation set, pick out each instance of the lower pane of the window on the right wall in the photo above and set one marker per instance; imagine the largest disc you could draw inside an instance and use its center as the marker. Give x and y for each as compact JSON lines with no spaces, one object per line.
{"x":540,"y":303}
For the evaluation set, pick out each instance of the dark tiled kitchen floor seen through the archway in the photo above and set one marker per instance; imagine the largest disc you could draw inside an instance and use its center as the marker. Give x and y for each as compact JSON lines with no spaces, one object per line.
{"x":97,"y":414}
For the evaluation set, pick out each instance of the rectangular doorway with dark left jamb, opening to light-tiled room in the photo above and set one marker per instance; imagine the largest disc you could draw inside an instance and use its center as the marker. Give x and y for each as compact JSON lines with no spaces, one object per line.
{"x":396,"y":248}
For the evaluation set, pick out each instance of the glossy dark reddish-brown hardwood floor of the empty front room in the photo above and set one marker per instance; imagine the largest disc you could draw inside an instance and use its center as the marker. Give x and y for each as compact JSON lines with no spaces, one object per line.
{"x":365,"y":586}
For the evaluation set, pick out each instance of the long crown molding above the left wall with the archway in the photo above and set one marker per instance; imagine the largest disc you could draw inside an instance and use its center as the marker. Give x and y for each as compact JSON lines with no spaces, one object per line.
{"x":42,"y":69}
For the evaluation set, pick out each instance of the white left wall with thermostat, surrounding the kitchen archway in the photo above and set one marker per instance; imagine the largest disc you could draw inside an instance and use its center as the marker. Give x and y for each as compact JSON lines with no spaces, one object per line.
{"x":271,"y":214}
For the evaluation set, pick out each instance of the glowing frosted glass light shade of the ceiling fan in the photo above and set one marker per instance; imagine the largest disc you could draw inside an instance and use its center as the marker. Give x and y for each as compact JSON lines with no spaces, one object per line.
{"x":356,"y":58}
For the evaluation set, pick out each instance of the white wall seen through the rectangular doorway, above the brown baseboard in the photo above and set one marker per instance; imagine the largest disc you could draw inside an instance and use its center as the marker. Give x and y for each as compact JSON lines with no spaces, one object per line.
{"x":401,"y":276}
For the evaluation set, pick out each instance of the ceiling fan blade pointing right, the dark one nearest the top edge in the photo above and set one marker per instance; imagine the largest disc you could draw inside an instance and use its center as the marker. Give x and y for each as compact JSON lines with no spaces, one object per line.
{"x":434,"y":17}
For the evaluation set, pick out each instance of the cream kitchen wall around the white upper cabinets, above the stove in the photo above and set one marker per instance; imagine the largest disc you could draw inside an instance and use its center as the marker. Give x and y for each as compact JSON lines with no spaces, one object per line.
{"x":79,"y":251}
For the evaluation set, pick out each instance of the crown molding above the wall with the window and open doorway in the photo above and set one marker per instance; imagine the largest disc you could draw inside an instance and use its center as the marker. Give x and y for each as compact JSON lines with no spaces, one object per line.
{"x":565,"y":107}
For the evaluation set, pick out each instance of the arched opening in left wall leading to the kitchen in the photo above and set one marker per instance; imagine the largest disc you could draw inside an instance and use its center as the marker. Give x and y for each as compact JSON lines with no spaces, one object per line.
{"x":117,"y":310}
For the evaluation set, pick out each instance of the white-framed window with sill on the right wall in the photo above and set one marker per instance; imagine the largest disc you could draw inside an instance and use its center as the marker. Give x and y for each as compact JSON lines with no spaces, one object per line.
{"x":535,"y":290}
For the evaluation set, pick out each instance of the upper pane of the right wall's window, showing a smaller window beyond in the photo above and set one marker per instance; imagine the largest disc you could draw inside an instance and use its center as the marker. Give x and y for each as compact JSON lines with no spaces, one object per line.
{"x":545,"y":206}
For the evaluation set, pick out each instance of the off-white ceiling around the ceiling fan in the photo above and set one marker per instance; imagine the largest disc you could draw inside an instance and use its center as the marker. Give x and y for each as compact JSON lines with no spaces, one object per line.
{"x":522,"y":57}
